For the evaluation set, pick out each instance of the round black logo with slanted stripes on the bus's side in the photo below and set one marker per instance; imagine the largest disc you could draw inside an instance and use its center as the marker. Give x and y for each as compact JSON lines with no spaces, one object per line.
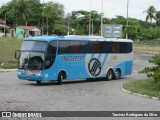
{"x":94,"y":67}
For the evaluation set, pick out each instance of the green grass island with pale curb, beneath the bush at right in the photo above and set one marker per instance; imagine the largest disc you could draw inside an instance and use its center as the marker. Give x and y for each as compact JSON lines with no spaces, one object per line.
{"x":145,"y":87}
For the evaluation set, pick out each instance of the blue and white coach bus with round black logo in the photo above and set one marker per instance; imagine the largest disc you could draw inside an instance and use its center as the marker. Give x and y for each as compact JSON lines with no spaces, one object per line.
{"x":60,"y":58}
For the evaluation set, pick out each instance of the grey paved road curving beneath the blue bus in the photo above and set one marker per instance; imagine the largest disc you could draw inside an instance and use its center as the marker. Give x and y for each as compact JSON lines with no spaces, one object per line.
{"x":94,"y":95}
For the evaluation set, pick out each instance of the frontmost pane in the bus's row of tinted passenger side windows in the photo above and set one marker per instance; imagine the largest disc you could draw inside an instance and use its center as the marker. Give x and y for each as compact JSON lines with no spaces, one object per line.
{"x":63,"y":47}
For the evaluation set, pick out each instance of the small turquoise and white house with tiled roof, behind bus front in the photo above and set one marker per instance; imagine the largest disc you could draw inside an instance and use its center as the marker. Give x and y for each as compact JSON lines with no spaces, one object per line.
{"x":27,"y":31}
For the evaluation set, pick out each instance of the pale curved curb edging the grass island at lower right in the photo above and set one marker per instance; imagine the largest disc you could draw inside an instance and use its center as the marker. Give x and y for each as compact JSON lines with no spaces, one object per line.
{"x":137,"y":94}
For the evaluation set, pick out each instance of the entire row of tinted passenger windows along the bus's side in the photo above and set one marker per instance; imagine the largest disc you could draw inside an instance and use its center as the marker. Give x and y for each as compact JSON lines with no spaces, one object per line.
{"x":69,"y":47}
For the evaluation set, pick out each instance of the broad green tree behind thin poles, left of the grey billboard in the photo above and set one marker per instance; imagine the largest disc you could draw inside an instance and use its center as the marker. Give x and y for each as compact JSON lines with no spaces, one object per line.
{"x":80,"y":21}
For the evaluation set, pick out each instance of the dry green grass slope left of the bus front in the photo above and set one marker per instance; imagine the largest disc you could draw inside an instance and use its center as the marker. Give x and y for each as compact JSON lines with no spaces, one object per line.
{"x":8,"y":46}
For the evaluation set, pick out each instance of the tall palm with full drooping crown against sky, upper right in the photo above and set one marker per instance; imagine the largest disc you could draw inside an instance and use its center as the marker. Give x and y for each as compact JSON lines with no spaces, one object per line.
{"x":150,"y":13}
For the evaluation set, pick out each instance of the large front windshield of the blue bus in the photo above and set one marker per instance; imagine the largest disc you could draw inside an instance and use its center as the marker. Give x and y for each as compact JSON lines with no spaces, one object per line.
{"x":32,"y":55}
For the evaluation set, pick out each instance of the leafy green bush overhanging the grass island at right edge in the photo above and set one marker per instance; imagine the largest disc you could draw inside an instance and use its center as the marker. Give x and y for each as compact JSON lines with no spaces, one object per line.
{"x":155,"y":70}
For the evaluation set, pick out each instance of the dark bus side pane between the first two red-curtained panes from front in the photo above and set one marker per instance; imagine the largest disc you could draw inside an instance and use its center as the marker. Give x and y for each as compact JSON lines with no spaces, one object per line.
{"x":85,"y":47}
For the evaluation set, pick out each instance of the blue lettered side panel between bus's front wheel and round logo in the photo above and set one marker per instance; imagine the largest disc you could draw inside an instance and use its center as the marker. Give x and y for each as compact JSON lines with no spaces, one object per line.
{"x":73,"y":65}
